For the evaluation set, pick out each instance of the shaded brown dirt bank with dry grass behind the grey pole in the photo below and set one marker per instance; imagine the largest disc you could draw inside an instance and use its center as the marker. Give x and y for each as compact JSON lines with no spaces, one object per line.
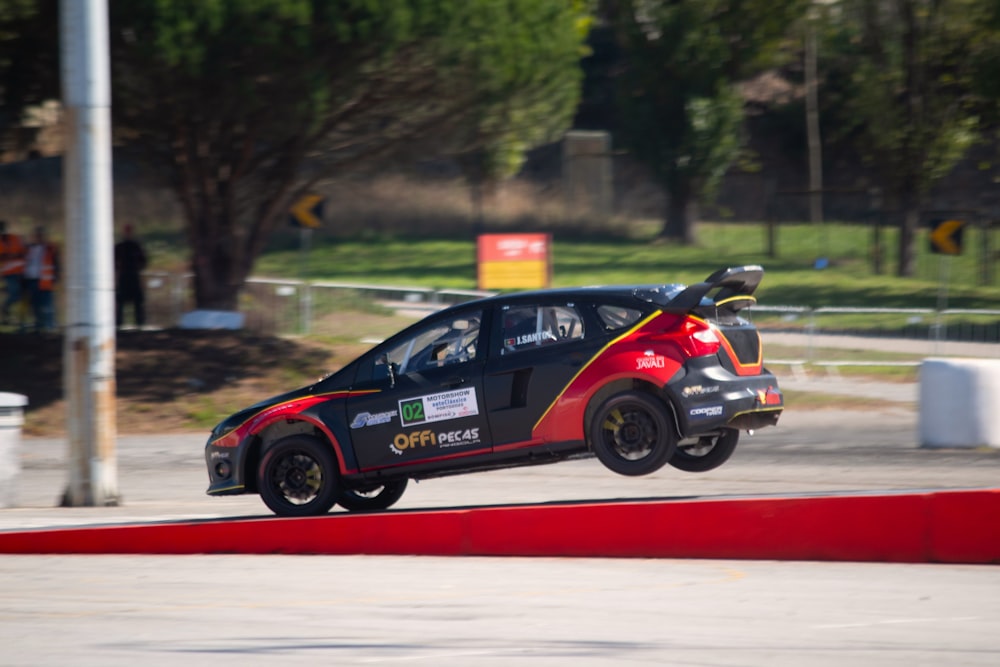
{"x":168,"y":381}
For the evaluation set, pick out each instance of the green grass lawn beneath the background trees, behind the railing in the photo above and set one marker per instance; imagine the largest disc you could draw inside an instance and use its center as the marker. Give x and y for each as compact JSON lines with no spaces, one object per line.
{"x":790,"y":279}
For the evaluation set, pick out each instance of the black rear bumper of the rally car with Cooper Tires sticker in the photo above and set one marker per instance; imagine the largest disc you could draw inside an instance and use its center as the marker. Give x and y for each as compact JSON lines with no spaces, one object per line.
{"x":707,"y":397}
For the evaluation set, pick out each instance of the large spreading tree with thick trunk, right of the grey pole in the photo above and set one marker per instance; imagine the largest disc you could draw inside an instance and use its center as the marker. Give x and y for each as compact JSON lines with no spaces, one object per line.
{"x":248,"y":103}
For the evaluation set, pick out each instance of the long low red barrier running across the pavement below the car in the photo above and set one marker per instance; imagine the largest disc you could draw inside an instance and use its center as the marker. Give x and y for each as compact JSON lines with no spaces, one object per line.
{"x":945,"y":527}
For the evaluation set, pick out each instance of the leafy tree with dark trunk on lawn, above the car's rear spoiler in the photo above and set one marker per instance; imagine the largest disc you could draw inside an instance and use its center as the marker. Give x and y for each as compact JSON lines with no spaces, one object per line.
{"x":681,"y":114}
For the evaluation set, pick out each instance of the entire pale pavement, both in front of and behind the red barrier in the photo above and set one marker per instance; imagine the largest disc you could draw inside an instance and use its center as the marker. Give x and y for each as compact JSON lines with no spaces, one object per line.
{"x":222,"y":610}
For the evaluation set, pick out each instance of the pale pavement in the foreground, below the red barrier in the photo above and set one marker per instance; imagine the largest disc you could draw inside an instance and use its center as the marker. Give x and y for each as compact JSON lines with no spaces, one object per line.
{"x":292,"y":610}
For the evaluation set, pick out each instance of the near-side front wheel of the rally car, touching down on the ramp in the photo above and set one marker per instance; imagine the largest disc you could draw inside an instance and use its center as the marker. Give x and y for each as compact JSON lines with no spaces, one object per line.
{"x":298,"y":477}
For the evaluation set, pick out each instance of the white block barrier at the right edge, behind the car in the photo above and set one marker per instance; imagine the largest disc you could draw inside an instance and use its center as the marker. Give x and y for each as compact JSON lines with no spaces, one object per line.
{"x":960,"y":403}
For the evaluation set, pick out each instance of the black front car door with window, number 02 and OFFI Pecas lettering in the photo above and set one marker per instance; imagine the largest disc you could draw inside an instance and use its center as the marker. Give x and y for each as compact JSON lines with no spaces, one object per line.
{"x":419,"y":396}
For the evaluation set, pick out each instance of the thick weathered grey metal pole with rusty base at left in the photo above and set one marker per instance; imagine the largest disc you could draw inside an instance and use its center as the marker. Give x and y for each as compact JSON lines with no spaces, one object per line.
{"x":89,"y":341}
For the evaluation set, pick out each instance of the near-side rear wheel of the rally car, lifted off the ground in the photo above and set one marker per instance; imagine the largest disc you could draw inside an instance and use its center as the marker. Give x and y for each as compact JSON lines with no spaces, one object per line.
{"x":632,"y":435}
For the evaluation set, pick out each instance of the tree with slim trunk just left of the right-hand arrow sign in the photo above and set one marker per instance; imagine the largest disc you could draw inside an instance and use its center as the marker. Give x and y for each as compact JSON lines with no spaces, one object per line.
{"x":909,"y":103}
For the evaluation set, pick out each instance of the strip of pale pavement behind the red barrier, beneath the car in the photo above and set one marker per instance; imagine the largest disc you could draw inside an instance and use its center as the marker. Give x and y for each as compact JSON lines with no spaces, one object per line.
{"x":818,"y":451}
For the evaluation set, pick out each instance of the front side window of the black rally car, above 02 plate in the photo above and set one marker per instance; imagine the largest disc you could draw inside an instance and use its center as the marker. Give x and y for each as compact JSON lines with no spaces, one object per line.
{"x":444,"y":343}
